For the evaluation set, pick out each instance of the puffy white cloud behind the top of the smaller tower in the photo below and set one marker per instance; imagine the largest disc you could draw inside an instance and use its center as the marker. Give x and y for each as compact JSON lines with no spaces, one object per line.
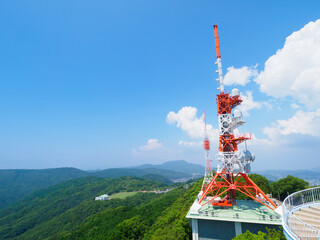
{"x":186,"y":119}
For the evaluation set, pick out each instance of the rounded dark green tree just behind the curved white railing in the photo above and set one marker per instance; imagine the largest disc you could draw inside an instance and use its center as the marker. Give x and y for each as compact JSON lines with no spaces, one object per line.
{"x":286,"y":186}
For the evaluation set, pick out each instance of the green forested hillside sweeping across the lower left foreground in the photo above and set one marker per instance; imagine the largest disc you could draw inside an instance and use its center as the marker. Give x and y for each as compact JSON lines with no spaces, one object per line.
{"x":68,"y":211}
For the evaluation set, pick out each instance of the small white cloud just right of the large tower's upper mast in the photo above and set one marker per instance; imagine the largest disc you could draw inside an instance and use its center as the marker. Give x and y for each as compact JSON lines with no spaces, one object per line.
{"x":239,"y":76}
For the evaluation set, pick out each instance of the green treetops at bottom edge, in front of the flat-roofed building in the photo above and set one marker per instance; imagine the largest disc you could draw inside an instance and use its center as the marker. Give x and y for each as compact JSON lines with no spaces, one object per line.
{"x":272,"y":234}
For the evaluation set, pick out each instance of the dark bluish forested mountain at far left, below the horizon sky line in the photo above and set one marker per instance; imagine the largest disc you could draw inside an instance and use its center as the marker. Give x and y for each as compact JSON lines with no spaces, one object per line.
{"x":18,"y":183}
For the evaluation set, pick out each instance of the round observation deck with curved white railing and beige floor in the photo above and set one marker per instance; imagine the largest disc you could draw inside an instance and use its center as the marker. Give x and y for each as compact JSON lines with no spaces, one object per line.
{"x":301,"y":215}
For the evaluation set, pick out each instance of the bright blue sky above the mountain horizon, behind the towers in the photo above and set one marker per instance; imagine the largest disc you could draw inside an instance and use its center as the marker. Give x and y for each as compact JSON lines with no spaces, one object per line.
{"x":90,"y":84}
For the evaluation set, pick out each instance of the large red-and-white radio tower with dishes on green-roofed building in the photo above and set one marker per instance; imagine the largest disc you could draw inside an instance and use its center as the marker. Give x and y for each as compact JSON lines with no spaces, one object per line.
{"x":233,"y":166}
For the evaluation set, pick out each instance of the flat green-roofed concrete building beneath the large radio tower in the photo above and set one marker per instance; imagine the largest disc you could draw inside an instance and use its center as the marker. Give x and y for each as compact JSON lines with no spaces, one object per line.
{"x":213,"y":222}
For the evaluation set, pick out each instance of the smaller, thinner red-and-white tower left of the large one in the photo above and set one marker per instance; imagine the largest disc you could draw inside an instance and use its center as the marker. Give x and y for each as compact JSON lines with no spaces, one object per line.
{"x":208,"y":169}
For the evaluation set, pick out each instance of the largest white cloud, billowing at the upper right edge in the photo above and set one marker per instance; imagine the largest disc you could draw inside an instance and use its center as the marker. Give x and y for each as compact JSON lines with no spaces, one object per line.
{"x":295,"y":69}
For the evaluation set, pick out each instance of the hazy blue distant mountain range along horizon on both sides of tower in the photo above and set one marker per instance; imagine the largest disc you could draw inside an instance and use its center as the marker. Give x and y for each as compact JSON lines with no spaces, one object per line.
{"x":16,"y":184}
